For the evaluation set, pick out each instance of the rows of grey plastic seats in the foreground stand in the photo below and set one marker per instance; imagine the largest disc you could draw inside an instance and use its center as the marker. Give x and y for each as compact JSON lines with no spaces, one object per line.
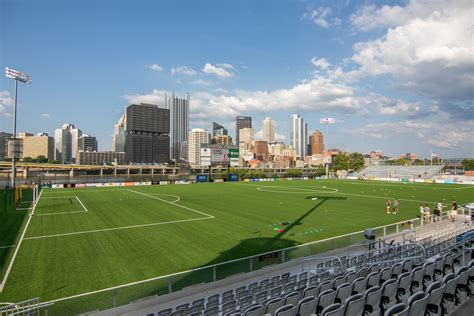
{"x":435,"y":286}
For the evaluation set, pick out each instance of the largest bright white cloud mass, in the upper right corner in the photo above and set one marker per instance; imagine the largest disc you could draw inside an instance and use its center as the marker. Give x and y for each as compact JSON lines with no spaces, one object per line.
{"x":427,"y":48}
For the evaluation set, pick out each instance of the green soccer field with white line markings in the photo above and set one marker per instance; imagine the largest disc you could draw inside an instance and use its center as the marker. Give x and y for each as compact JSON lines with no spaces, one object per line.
{"x":81,"y":240}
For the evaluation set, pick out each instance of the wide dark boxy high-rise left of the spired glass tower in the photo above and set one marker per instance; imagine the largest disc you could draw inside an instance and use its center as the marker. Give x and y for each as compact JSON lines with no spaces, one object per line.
{"x":147,"y":134}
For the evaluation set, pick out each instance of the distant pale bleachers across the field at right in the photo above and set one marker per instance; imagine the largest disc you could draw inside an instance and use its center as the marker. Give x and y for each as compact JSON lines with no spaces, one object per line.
{"x":398,"y":172}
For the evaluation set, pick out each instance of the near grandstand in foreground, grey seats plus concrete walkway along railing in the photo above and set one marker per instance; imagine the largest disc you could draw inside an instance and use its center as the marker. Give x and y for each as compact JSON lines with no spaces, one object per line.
{"x":429,"y":271}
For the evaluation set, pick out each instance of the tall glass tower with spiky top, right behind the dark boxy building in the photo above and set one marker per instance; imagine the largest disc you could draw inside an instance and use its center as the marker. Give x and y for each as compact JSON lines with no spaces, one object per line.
{"x":179,"y":125}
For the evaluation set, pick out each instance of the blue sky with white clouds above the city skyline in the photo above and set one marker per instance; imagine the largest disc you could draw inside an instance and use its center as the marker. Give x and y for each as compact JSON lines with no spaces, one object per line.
{"x":398,"y":75}
